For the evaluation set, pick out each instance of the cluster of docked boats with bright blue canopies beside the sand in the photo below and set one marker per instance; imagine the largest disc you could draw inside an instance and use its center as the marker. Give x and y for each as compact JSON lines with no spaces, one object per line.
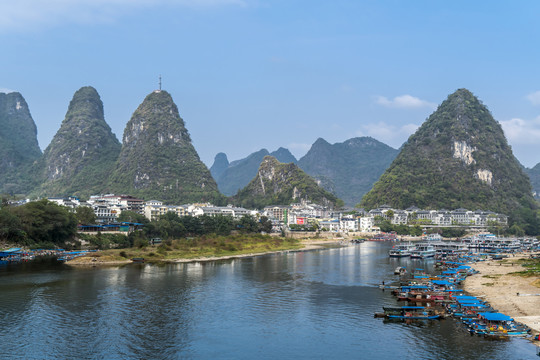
{"x":437,"y":296}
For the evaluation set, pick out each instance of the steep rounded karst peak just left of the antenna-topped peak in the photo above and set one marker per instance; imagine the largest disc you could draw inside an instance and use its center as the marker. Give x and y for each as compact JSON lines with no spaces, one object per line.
{"x":82,"y":153}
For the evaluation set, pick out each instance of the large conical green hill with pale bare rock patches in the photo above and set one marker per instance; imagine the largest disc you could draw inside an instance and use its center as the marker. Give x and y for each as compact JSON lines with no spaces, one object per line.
{"x":458,"y":158}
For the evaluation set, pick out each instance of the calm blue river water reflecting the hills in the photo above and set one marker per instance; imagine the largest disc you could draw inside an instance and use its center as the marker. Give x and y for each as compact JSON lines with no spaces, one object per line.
{"x":303,"y":305}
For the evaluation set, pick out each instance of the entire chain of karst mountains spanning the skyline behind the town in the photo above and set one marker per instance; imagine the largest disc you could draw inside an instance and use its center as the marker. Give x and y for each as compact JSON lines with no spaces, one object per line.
{"x":458,"y":158}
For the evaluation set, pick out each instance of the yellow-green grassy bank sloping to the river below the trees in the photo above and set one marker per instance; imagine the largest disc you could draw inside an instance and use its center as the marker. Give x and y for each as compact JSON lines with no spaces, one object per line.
{"x":200,"y":247}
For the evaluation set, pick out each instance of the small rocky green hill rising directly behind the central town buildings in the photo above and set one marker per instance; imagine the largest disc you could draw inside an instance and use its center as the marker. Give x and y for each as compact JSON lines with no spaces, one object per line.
{"x":280,"y":184}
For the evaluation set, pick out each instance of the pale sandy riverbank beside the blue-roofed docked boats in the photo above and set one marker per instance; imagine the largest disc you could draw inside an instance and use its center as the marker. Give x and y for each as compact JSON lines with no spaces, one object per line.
{"x":516,"y":296}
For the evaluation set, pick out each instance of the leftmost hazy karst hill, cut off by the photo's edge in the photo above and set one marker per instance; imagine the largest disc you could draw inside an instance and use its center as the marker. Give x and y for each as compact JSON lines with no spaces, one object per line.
{"x":18,"y":142}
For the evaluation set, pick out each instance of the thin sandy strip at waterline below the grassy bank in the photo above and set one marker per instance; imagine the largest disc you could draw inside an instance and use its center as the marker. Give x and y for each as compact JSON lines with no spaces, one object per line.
{"x":307,"y":244}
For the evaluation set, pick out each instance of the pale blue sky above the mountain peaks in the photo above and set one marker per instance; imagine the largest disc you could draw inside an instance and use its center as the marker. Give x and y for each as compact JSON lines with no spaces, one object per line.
{"x":253,"y":74}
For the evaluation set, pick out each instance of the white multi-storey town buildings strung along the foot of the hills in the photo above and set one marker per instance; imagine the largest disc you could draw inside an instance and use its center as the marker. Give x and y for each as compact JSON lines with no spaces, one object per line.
{"x":299,"y":216}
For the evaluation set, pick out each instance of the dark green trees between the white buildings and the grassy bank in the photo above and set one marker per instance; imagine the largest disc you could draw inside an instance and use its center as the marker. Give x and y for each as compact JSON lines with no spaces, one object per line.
{"x":45,"y":224}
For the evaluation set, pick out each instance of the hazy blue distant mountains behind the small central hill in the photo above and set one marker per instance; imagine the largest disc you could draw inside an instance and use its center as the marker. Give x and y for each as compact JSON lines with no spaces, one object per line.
{"x":347,"y":169}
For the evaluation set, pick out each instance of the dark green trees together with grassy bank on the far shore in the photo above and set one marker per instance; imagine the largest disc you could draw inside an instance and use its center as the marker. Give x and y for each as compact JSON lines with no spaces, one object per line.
{"x":44,"y":224}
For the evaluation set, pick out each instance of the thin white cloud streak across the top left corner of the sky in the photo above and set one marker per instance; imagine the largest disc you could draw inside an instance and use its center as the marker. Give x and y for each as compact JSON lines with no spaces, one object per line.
{"x":28,"y":15}
